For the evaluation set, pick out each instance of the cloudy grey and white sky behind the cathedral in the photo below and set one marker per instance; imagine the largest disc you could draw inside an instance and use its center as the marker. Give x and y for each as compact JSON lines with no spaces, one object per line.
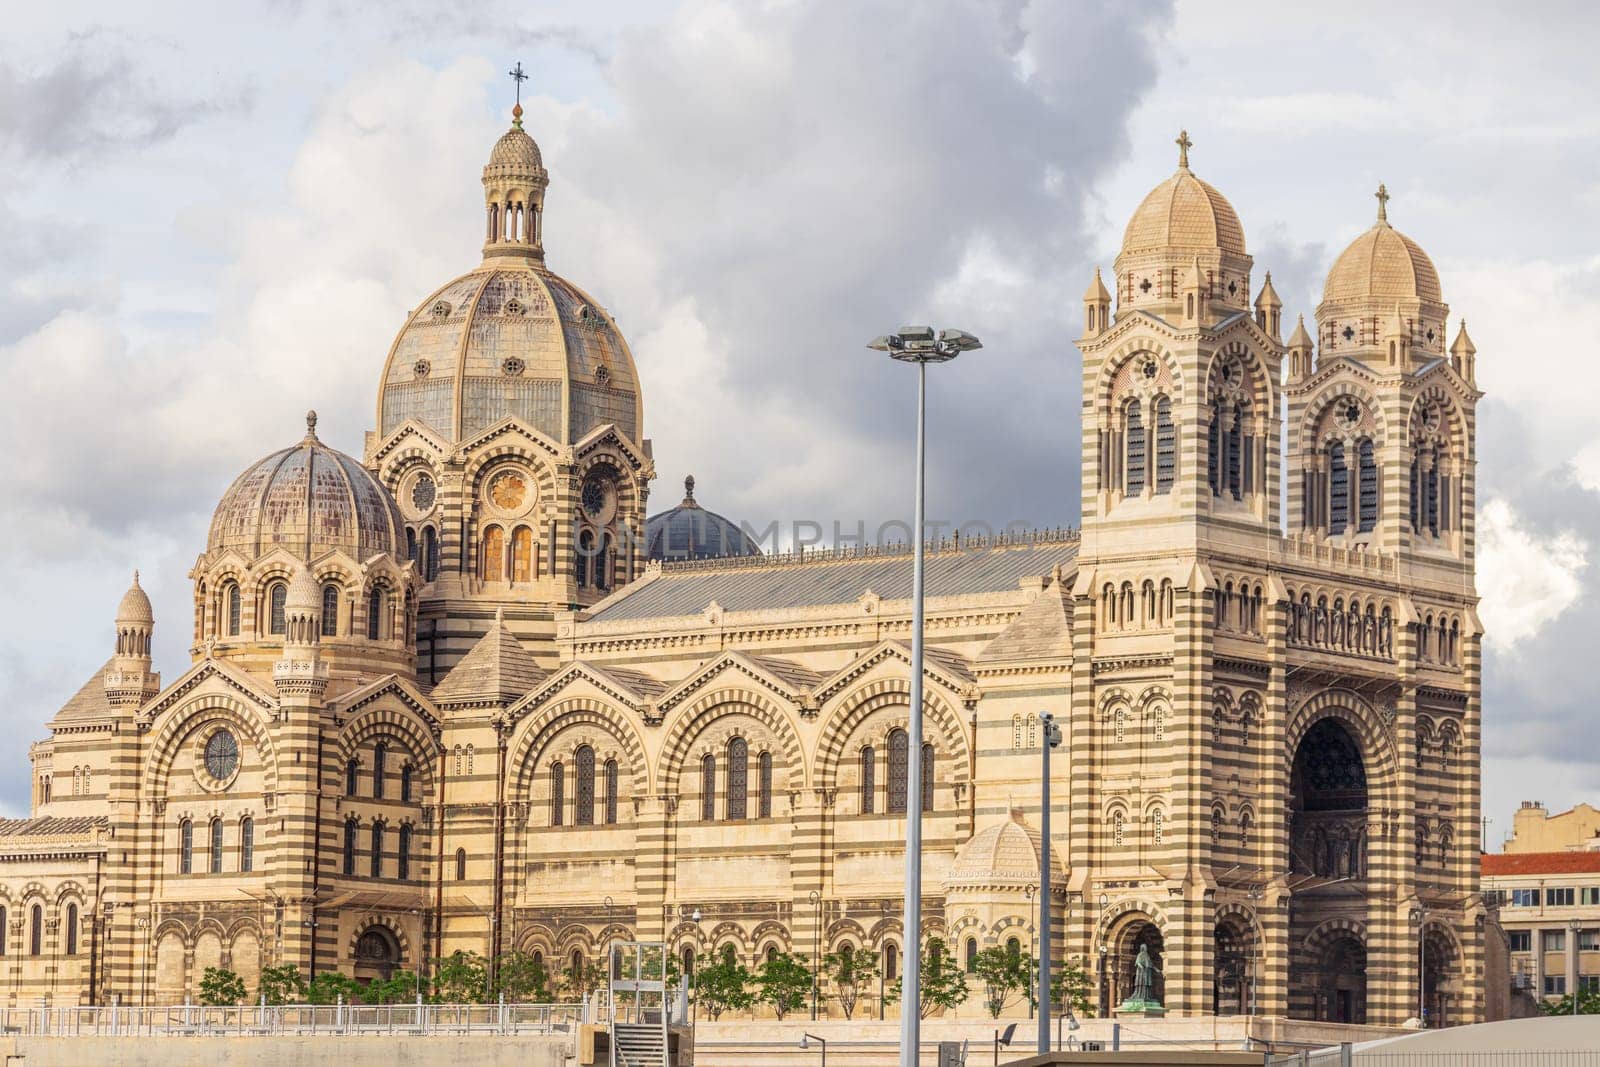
{"x":210,"y":225}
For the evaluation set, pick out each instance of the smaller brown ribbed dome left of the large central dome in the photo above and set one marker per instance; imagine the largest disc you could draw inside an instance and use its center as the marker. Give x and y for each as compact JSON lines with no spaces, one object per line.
{"x":310,"y":500}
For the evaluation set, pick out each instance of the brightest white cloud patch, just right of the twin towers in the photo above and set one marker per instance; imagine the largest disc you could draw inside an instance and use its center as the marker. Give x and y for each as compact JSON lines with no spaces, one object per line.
{"x":1526,"y":580}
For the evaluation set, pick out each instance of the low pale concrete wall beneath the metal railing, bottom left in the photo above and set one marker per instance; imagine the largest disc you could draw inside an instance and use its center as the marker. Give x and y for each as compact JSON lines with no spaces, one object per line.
{"x":290,"y":1052}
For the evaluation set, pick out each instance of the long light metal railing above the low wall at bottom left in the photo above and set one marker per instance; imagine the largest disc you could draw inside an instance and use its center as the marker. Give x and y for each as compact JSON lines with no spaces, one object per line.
{"x":270,"y":1020}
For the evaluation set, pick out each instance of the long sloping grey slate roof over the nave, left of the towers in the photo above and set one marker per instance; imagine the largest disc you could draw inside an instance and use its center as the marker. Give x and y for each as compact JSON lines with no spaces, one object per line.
{"x":759,"y":583}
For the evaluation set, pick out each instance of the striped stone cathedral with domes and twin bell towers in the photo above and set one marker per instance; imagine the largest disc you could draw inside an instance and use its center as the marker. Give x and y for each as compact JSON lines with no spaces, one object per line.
{"x":463,"y":693}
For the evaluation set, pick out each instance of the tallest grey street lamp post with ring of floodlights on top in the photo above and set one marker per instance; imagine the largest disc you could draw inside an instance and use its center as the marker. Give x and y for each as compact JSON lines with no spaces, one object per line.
{"x":921,"y":346}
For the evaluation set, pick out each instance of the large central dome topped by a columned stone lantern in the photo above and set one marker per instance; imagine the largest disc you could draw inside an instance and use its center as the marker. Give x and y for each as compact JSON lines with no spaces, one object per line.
{"x":511,"y":338}
